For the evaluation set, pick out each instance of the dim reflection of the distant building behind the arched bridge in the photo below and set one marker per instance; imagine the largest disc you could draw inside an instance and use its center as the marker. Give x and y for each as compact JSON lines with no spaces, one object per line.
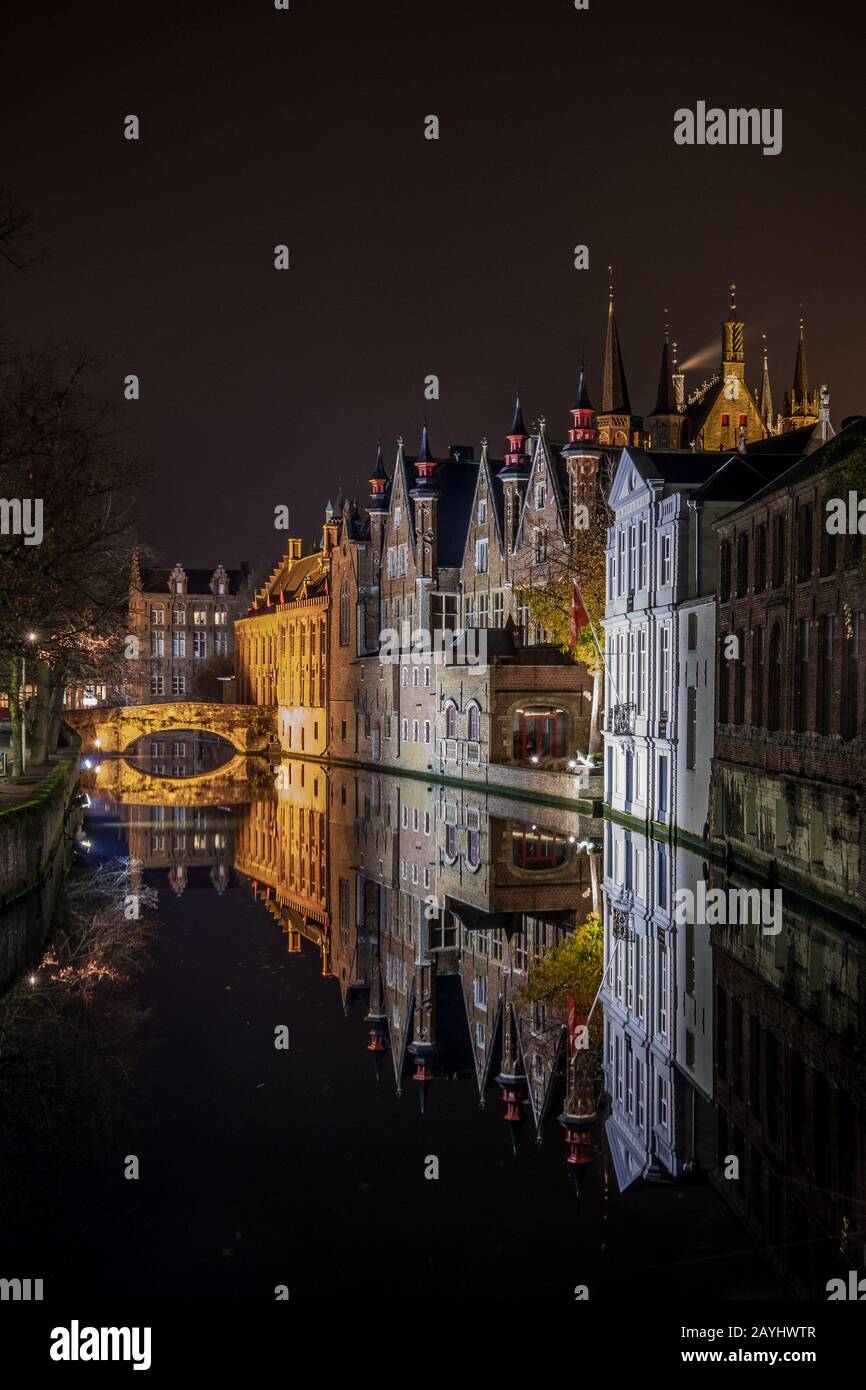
{"x":180,"y":839}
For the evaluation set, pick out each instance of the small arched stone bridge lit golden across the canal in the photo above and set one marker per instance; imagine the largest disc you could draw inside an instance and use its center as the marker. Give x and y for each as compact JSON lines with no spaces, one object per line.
{"x":250,"y":729}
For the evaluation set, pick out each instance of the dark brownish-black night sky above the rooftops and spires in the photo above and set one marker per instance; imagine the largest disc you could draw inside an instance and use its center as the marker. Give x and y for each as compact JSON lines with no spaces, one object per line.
{"x":411,"y":256}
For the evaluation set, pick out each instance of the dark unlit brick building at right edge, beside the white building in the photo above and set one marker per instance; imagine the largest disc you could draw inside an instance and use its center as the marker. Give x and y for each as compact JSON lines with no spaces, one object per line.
{"x":790,"y":760}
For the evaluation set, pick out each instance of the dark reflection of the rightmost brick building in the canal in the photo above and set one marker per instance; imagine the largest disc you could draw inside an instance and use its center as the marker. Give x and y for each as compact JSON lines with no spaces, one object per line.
{"x":790,"y":1090}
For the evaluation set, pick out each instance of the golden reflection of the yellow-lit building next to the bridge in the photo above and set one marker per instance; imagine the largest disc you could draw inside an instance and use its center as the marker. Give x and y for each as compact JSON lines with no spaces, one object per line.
{"x":283,"y":850}
